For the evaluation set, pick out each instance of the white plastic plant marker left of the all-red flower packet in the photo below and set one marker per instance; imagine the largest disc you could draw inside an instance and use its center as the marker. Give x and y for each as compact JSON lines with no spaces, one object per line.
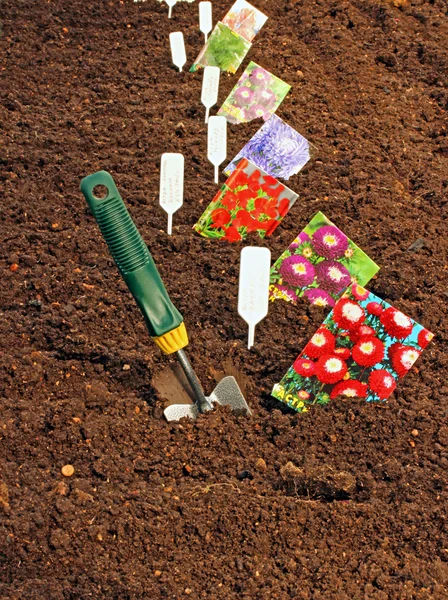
{"x":171,"y":195}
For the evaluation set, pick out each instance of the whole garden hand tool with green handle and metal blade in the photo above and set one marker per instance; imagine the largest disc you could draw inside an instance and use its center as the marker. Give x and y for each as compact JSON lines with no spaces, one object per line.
{"x":165,"y":323}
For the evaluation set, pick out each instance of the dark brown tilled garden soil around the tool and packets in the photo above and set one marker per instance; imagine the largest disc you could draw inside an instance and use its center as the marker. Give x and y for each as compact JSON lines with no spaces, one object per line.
{"x":346,"y":502}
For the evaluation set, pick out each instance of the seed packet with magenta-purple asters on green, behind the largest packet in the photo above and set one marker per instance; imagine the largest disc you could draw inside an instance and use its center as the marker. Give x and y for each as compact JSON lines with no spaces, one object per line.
{"x":319,"y":265}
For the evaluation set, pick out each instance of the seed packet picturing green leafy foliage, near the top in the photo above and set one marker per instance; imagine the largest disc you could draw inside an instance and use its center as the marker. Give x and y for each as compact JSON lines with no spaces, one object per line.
{"x":224,"y":49}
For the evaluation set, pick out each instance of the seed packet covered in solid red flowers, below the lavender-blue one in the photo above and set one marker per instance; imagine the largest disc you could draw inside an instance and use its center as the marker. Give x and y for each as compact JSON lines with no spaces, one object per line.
{"x":249,"y":201}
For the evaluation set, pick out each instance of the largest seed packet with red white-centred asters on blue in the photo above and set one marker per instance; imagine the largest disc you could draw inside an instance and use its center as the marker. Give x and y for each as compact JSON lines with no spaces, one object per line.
{"x":362,"y":349}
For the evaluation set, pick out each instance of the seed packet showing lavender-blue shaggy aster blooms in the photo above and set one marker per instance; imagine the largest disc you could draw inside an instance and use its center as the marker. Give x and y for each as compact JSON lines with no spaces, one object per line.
{"x":276,"y":148}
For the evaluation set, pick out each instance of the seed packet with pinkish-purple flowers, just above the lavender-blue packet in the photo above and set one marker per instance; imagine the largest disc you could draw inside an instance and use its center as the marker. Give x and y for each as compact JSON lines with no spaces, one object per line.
{"x":257,"y":94}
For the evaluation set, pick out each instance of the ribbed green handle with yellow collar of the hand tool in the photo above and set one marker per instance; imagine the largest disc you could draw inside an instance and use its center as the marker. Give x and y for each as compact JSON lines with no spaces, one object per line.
{"x":164,"y":321}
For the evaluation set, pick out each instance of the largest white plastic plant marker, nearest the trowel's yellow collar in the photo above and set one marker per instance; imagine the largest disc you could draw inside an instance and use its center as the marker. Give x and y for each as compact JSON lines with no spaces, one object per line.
{"x":253,"y":290}
